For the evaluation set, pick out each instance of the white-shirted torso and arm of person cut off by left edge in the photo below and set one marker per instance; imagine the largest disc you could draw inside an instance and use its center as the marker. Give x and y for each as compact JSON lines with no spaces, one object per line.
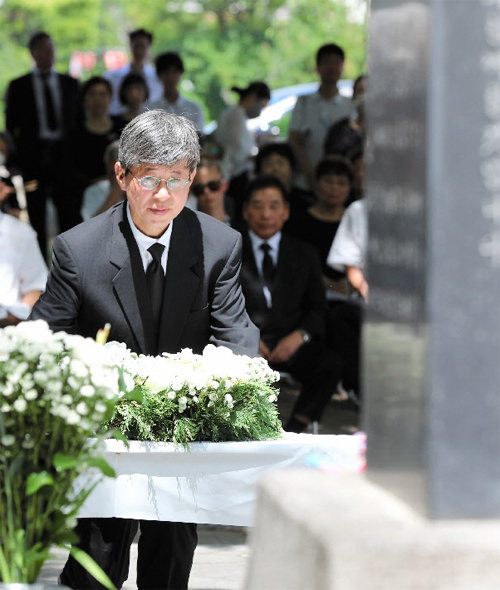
{"x":23,"y":272}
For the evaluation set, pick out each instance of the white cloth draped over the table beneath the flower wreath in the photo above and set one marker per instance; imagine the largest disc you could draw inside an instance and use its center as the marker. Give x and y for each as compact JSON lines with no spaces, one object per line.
{"x":212,"y":483}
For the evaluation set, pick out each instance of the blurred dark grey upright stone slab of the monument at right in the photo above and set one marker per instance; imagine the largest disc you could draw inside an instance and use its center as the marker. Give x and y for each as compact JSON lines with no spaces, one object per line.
{"x":432,"y":332}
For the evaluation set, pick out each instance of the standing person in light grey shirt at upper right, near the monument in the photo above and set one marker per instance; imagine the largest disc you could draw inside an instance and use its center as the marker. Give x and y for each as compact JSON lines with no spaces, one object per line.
{"x":314,"y":114}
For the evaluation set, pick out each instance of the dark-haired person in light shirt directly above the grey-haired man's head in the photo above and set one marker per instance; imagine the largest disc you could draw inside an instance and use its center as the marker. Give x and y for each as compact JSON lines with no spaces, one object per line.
{"x":169,"y":68}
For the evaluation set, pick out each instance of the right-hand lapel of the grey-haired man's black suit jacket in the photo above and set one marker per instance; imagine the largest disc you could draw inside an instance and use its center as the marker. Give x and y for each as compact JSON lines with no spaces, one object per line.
{"x":184,"y":273}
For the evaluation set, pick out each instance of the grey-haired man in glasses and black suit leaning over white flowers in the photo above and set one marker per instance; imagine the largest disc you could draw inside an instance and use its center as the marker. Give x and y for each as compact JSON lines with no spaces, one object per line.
{"x":165,"y":278}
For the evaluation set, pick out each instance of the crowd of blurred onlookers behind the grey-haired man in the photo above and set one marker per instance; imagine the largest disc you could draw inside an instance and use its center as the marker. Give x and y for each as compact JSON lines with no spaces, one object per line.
{"x":312,"y":178}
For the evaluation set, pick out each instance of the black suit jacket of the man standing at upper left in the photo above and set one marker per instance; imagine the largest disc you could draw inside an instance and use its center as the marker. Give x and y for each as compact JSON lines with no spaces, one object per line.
{"x":21,"y":119}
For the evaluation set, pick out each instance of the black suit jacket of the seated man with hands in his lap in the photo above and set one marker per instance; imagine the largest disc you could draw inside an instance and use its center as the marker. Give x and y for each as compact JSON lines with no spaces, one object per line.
{"x":298,"y":294}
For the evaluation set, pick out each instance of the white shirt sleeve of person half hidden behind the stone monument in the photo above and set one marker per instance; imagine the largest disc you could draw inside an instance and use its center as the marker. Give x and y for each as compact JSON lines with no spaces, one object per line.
{"x":350,"y":242}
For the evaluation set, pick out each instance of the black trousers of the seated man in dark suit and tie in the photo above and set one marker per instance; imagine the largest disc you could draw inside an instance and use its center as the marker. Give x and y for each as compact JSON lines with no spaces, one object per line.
{"x":319,"y":369}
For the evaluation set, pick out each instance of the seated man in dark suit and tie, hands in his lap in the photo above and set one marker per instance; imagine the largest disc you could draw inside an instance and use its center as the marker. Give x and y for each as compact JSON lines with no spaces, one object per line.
{"x":285,"y":297}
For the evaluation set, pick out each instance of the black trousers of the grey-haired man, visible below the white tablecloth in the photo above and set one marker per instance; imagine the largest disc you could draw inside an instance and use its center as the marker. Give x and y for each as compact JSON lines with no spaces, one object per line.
{"x":165,"y":553}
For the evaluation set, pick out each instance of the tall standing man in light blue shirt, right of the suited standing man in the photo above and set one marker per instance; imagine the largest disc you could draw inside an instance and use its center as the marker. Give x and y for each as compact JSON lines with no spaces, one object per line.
{"x":140,"y":44}
